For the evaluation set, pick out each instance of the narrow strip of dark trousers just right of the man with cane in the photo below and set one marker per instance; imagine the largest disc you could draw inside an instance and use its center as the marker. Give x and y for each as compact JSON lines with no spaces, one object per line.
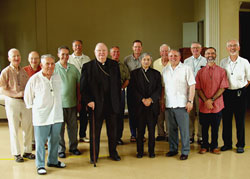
{"x":120,"y":119}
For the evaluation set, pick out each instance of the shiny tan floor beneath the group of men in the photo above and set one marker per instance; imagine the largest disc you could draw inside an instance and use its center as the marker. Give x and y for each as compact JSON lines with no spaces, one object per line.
{"x":227,"y":165}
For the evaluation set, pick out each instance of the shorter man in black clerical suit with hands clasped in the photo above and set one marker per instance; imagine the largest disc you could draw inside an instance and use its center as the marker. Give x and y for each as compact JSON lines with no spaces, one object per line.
{"x":146,"y":85}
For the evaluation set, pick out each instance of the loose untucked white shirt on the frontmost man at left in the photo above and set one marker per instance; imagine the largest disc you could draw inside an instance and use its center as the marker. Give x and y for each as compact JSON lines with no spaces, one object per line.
{"x":44,"y":97}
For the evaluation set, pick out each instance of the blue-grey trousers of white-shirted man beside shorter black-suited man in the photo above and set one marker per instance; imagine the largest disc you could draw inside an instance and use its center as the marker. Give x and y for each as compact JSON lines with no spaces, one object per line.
{"x":178,"y":117}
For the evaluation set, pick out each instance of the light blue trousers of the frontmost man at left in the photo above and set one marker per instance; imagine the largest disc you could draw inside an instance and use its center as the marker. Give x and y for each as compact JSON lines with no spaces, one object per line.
{"x":42,"y":134}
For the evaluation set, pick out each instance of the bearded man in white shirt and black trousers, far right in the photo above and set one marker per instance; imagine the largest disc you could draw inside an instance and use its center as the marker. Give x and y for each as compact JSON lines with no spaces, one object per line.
{"x":235,"y":99}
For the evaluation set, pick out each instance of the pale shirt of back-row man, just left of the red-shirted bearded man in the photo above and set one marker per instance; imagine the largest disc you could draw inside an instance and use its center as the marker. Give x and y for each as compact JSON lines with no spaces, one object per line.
{"x":195,"y":64}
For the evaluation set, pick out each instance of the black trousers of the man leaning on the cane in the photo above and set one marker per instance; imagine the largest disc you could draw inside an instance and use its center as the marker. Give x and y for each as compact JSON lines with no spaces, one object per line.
{"x":111,"y":132}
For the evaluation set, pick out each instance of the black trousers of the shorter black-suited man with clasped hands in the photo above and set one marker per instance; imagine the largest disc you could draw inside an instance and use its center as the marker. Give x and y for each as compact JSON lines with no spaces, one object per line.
{"x":146,"y":118}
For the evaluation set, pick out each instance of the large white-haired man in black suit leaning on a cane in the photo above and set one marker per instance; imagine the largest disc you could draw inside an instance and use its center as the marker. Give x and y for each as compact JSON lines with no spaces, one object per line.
{"x":100,"y":87}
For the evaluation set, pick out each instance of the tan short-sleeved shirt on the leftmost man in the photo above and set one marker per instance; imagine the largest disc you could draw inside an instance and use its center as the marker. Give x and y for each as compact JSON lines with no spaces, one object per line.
{"x":13,"y":81}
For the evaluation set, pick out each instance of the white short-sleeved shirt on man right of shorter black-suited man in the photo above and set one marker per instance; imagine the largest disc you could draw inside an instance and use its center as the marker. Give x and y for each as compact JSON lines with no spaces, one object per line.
{"x":177,"y":84}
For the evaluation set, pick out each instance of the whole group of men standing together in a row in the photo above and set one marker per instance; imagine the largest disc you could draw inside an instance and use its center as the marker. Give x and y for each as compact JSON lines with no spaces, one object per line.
{"x":170,"y":95}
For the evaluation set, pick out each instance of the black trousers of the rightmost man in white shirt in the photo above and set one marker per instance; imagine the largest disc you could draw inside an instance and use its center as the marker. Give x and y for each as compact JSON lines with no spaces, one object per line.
{"x":235,"y":104}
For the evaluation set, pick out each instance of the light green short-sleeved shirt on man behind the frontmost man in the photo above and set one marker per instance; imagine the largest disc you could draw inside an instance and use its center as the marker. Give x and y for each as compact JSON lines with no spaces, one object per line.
{"x":70,"y":79}
